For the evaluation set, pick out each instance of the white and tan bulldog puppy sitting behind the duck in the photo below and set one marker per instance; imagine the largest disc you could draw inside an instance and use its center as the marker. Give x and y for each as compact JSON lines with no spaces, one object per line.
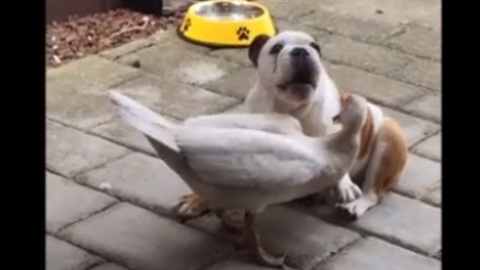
{"x":291,"y":79}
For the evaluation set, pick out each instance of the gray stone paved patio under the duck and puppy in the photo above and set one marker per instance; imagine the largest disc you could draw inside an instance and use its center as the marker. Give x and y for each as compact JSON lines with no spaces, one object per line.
{"x":108,"y":196}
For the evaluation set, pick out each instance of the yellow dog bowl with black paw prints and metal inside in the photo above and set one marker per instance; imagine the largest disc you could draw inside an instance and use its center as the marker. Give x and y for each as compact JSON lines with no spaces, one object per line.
{"x":225,"y":23}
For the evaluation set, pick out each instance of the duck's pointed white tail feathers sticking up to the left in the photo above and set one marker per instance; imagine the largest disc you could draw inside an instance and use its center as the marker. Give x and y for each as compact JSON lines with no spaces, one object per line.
{"x":145,"y":120}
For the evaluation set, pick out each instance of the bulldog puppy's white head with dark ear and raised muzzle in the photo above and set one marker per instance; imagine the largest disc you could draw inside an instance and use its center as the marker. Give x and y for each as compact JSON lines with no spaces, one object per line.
{"x":289,"y":64}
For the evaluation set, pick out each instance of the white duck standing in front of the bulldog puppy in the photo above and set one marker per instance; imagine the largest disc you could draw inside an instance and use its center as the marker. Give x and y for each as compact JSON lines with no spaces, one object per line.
{"x":257,"y":161}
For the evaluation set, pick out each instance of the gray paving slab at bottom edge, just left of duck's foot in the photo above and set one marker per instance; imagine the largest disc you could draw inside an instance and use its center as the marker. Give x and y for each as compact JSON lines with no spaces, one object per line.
{"x":141,"y":240}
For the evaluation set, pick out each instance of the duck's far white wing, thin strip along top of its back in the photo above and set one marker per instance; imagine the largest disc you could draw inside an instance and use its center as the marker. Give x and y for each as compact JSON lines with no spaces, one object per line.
{"x":271,"y":122}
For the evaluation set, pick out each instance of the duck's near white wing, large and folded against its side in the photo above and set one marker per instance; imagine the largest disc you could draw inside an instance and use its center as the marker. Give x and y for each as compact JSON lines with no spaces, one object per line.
{"x":247,"y":158}
